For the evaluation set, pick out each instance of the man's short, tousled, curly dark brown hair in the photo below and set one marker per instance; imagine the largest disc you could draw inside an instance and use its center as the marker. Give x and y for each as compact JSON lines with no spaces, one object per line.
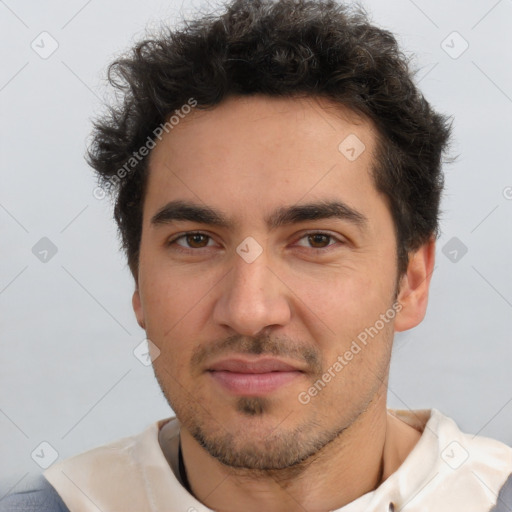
{"x":277,"y":48}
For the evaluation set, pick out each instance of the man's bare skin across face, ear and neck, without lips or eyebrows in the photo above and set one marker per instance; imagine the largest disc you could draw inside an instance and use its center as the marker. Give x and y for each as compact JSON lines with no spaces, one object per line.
{"x":303,"y":300}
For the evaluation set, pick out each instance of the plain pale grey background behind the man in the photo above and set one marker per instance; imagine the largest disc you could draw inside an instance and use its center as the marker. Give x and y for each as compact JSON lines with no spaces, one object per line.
{"x":68,"y":373}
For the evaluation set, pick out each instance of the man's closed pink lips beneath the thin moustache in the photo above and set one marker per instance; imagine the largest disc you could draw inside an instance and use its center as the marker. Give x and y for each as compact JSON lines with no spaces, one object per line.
{"x":253,"y":378}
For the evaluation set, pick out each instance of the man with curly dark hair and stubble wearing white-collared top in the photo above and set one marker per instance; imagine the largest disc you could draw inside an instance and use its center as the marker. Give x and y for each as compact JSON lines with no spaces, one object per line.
{"x":277,"y":179}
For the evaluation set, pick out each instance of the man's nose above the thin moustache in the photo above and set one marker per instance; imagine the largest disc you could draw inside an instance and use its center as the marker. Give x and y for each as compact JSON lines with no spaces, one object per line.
{"x":253,"y":297}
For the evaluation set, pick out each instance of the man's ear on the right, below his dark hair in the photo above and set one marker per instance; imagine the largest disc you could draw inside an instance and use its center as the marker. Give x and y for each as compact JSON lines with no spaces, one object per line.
{"x":414,"y":287}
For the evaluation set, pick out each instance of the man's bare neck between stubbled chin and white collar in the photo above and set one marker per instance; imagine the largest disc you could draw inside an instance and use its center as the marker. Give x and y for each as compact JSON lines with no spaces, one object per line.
{"x":364,"y":455}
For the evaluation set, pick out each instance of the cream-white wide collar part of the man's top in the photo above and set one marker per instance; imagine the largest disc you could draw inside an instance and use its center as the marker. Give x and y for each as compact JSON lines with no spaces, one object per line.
{"x":446,"y":471}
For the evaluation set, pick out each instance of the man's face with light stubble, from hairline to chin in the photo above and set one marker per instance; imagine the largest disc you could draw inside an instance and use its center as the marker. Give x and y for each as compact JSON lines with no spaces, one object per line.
{"x":265,"y":286}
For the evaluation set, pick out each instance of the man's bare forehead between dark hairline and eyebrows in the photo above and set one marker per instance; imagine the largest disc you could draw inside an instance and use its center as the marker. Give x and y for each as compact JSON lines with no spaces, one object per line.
{"x":258,"y":152}
